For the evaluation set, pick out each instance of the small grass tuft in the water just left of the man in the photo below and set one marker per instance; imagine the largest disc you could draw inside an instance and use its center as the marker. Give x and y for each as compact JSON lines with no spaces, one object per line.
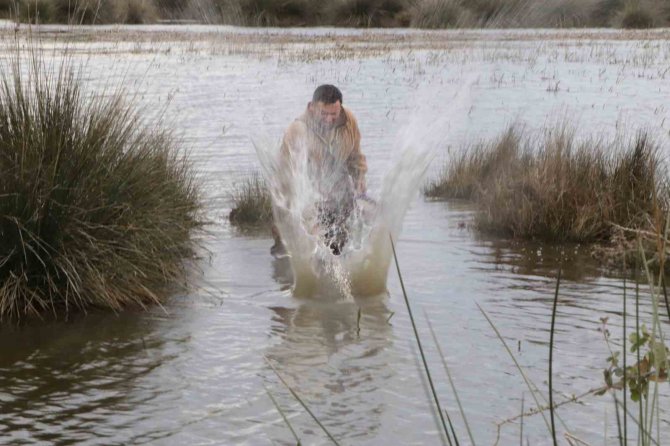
{"x":252,"y":203}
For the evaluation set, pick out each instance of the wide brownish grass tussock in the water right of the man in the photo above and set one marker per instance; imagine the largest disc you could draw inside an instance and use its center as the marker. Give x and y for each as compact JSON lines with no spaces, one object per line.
{"x":556,"y":187}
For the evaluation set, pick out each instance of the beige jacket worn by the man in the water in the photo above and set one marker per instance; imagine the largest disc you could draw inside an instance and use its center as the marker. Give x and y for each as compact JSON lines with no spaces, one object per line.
{"x":340,"y":144}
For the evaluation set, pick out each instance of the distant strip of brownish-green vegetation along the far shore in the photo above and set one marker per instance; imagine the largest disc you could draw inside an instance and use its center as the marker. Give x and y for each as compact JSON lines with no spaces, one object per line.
{"x":351,"y":13}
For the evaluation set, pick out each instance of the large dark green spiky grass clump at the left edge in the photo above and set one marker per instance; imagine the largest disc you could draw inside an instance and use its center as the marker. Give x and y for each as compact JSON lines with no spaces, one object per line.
{"x":98,"y":208}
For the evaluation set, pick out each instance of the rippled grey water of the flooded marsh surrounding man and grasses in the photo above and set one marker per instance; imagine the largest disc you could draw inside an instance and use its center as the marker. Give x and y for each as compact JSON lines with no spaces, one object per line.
{"x":196,"y":371}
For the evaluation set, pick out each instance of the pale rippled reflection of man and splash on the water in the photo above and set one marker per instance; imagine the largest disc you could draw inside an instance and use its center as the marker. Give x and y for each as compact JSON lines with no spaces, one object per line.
{"x":336,"y":362}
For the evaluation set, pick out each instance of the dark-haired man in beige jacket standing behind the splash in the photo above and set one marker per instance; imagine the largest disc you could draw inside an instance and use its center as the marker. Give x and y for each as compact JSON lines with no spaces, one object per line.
{"x":327,"y":137}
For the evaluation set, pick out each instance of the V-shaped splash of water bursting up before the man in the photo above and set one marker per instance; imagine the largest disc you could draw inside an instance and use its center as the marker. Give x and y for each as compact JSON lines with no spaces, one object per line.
{"x":338,"y":244}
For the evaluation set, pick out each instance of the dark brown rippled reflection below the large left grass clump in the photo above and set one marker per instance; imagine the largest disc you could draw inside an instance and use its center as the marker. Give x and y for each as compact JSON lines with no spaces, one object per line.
{"x":77,"y":382}
